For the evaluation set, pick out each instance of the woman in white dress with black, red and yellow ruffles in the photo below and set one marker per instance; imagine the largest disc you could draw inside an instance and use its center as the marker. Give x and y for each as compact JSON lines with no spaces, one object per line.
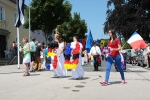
{"x":74,"y":64}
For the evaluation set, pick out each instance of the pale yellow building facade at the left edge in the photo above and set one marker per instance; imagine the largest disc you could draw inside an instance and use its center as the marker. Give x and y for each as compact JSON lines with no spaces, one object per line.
{"x":8,"y":32}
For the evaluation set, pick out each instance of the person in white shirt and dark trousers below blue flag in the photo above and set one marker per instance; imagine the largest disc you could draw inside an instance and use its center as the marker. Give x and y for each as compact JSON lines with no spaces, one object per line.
{"x":95,"y":52}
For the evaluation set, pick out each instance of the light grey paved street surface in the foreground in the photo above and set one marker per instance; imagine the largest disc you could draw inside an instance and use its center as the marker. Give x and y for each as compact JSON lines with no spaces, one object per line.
{"x":40,"y":85}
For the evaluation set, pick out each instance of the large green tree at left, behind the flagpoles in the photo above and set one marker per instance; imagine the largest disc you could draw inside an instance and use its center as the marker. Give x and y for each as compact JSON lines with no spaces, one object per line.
{"x":47,"y":14}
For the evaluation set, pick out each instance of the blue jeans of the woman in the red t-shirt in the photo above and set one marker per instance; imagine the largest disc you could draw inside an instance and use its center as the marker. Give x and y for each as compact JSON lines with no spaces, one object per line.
{"x":109,"y":64}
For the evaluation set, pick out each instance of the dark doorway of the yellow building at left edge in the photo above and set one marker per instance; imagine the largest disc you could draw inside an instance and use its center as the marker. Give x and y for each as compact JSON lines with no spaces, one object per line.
{"x":2,"y":46}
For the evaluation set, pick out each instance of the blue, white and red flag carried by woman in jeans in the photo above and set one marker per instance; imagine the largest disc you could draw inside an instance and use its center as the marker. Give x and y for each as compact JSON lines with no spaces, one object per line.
{"x":136,"y":41}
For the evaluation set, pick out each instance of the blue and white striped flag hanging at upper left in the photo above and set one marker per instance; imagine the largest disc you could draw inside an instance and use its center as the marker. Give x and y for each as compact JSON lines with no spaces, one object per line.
{"x":20,"y":19}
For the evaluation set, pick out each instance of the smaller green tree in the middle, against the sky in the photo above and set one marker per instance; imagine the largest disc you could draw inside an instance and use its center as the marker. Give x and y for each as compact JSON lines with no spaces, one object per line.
{"x":75,"y":27}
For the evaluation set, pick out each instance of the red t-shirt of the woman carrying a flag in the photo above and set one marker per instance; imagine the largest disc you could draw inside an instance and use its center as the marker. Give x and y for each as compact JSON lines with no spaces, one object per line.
{"x":114,"y":45}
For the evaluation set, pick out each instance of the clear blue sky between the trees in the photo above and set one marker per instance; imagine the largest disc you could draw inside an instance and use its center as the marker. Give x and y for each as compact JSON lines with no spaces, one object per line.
{"x":93,"y":12}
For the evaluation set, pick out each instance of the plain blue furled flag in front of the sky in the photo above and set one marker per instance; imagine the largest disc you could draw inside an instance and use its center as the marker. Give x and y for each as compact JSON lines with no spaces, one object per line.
{"x":89,"y":42}
